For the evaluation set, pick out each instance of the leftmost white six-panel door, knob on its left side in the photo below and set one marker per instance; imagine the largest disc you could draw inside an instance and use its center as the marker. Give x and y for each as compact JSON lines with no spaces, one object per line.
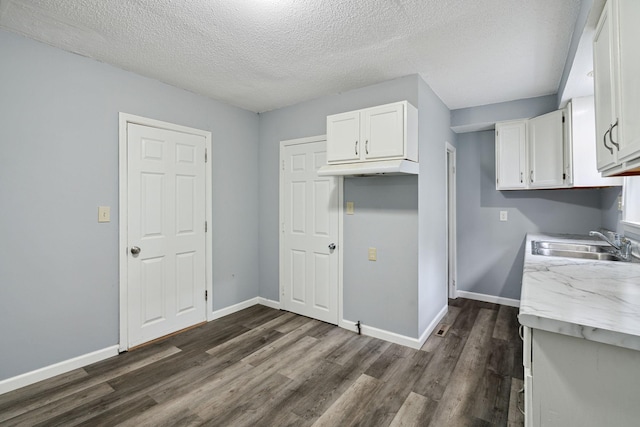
{"x":166,"y":232}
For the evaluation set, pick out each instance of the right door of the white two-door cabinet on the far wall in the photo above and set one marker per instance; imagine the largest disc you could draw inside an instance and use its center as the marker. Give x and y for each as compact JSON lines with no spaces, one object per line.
{"x":546,"y":150}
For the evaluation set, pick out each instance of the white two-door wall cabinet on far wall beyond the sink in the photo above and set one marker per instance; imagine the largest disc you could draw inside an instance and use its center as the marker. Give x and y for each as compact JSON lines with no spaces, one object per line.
{"x":530,"y":153}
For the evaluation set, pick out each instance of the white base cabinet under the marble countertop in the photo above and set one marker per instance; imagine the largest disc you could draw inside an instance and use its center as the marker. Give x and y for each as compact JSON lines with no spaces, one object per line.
{"x":577,"y":382}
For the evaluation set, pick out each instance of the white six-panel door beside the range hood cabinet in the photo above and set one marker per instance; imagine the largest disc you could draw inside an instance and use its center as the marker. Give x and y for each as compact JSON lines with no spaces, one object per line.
{"x":310,"y":221}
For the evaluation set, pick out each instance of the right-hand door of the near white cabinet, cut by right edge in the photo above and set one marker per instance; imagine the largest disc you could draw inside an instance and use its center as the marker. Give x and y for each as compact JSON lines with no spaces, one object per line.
{"x":627,"y":132}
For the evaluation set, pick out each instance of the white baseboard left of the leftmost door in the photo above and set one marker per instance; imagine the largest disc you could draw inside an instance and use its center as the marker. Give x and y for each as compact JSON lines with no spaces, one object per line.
{"x":51,"y":371}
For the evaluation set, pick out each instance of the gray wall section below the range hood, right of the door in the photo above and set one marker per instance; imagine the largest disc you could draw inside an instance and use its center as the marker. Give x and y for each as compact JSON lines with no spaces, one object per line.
{"x":382,"y":294}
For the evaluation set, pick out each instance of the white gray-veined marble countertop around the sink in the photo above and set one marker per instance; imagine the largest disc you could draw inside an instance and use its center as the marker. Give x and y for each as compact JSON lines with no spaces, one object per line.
{"x":594,"y":300}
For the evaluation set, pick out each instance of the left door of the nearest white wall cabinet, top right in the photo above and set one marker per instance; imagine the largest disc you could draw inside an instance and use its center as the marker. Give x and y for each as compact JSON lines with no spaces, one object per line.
{"x":603,"y":89}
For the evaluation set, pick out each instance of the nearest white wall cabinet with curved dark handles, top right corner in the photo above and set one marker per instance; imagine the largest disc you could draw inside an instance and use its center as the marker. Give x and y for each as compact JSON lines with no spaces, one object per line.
{"x":617,"y":88}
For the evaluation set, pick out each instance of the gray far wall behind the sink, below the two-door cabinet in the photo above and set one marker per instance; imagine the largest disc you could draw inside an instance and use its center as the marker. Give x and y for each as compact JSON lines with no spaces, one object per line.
{"x":490,"y":252}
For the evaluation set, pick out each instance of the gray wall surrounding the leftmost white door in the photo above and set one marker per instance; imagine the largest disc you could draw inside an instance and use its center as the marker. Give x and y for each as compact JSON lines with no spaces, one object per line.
{"x":59,"y":161}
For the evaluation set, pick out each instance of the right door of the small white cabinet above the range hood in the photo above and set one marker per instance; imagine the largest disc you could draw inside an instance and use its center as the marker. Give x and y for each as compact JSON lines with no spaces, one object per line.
{"x":383,"y":132}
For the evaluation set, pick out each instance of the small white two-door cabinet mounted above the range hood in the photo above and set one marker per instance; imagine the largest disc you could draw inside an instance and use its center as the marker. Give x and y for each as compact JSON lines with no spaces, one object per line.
{"x":385,"y":132}
